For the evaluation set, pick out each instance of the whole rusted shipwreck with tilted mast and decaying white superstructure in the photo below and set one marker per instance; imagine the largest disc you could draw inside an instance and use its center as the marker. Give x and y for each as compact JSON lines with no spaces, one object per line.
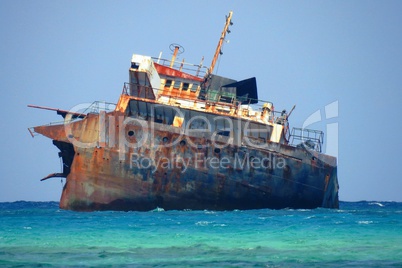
{"x":181,"y":137}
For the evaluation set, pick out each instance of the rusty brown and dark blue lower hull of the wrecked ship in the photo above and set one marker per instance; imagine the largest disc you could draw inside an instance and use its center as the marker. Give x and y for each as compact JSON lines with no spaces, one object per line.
{"x":100,"y":178}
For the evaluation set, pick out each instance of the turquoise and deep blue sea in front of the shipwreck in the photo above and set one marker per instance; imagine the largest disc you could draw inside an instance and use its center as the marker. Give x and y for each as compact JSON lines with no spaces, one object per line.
{"x":359,"y":234}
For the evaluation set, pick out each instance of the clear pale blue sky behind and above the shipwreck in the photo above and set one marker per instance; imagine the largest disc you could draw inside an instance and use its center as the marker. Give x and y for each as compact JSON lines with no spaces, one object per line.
{"x":308,"y":53}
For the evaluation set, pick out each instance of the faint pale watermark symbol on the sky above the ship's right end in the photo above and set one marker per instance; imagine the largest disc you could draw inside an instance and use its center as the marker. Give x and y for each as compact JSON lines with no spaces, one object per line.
{"x":331,"y":111}
